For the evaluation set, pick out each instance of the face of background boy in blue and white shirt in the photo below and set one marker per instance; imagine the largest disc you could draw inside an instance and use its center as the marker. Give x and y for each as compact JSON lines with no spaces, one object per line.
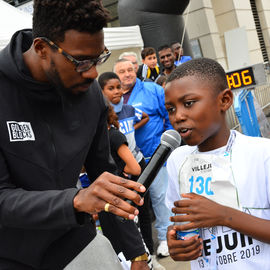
{"x":113,"y":91}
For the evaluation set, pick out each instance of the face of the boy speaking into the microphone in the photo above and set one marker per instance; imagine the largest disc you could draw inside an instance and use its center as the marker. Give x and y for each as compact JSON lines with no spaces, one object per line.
{"x":197,"y":111}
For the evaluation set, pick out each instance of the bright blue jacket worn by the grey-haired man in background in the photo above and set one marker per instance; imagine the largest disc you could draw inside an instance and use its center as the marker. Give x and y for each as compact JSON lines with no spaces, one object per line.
{"x":149,"y":97}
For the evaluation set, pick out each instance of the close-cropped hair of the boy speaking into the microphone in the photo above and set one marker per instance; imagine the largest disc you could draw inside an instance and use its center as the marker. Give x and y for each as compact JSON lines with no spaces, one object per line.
{"x":205,"y":68}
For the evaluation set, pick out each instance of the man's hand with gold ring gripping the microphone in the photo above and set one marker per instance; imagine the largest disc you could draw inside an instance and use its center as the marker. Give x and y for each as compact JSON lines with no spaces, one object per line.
{"x":108,"y":188}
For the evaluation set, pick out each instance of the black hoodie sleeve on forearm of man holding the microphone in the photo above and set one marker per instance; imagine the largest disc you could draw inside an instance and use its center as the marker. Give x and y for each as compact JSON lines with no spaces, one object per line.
{"x":45,"y":209}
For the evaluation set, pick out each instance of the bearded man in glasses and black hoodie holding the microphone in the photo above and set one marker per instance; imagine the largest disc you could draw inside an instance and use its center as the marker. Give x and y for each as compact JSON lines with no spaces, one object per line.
{"x":53,"y":121}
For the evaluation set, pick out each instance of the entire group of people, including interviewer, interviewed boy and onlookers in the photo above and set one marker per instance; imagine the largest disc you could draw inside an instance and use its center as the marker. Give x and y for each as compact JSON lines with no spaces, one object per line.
{"x":72,"y":149}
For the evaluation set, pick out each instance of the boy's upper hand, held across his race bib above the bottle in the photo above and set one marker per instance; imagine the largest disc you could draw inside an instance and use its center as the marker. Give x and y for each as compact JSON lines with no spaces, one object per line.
{"x":199,"y":211}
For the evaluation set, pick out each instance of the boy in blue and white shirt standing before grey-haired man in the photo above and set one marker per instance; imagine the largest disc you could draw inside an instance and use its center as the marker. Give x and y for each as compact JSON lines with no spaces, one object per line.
{"x":130,"y":119}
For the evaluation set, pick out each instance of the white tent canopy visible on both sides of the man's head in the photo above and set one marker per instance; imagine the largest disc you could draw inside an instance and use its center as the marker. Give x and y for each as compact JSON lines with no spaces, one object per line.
{"x":13,"y":19}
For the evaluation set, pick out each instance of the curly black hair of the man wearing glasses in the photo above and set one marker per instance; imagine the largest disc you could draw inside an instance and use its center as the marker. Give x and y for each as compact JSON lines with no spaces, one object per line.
{"x":53,"y":18}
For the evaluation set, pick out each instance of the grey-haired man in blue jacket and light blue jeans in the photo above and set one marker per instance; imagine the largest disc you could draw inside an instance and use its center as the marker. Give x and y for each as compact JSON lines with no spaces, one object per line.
{"x":149,"y":97}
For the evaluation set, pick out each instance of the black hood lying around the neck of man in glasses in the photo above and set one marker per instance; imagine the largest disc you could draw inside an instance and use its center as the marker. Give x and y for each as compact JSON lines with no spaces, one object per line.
{"x":12,"y":66}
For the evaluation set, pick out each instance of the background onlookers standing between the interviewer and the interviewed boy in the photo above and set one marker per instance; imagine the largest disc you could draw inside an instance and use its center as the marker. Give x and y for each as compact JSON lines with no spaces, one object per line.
{"x":136,"y":96}
